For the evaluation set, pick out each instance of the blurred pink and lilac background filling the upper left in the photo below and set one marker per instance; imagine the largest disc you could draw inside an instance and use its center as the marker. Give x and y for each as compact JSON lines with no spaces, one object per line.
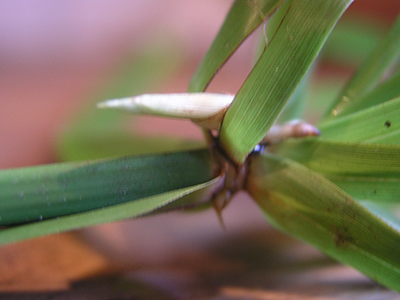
{"x":53,"y":53}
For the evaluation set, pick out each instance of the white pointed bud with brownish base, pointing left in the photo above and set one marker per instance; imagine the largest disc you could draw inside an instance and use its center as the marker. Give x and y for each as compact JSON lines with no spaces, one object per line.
{"x":205,"y":109}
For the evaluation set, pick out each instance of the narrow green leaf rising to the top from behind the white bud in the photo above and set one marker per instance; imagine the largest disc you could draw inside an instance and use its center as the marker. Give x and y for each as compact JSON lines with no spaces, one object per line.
{"x":242,"y":19}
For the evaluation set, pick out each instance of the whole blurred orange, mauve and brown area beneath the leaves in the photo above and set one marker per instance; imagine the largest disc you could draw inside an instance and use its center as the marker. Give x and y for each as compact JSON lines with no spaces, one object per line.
{"x":180,"y":256}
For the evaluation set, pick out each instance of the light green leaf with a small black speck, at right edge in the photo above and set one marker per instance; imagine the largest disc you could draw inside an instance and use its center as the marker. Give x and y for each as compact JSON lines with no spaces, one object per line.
{"x":375,"y":124}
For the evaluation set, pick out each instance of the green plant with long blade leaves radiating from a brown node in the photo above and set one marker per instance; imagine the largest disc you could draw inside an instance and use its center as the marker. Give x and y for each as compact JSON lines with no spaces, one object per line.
{"x":326,"y":190}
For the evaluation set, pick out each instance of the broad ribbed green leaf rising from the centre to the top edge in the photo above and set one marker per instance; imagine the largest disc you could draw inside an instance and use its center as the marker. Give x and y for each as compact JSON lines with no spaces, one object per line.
{"x":277,"y":74}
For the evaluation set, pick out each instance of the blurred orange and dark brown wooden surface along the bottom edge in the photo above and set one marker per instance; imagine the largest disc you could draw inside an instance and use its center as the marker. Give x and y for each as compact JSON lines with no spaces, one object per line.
{"x":260,"y":264}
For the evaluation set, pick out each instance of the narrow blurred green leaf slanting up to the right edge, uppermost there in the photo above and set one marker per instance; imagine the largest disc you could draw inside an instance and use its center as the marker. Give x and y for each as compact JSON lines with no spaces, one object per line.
{"x":369,"y":73}
